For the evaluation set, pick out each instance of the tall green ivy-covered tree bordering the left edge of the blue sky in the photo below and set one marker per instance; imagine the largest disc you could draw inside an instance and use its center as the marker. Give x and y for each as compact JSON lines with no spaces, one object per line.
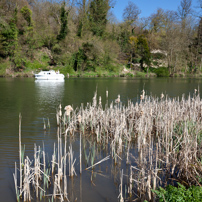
{"x":98,"y":11}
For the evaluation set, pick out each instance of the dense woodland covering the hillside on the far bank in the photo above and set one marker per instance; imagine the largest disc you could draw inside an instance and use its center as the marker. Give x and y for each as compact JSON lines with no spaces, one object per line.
{"x":77,"y":36}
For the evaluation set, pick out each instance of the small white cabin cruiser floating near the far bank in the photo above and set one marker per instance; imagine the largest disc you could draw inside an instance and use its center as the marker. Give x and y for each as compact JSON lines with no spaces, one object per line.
{"x":49,"y":75}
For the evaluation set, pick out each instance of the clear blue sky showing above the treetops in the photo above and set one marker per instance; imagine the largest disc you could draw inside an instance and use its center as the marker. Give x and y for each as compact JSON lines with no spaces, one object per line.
{"x":148,"y":7}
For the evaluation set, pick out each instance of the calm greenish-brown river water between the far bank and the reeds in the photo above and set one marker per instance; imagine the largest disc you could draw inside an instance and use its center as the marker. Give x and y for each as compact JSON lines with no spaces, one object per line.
{"x":37,"y":102}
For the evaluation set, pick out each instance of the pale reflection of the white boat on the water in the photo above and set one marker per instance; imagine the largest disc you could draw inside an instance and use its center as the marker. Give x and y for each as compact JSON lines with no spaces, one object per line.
{"x":49,"y":92}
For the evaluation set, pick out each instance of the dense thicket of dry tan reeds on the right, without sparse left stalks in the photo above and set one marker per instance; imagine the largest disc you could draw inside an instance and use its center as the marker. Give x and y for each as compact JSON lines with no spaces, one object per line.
{"x":167,"y":132}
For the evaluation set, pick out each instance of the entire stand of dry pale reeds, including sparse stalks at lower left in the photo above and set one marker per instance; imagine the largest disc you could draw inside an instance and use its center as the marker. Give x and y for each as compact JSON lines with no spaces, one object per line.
{"x":158,"y":139}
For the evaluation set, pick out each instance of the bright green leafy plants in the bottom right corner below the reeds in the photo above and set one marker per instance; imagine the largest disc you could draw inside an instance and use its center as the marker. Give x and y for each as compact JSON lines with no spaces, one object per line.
{"x":180,"y":194}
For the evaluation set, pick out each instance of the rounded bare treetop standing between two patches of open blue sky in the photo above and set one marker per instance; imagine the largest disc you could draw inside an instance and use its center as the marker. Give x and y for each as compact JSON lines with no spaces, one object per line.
{"x":131,"y":13}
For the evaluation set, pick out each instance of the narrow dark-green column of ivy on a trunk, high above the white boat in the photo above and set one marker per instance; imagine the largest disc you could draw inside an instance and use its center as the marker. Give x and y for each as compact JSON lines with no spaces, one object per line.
{"x":64,"y":27}
